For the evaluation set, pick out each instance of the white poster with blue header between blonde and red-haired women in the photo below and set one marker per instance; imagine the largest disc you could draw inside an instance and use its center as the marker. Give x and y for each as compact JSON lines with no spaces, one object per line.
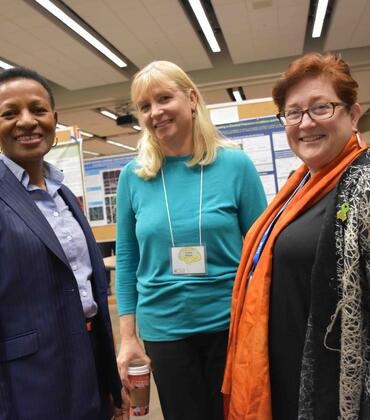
{"x":265,"y":142}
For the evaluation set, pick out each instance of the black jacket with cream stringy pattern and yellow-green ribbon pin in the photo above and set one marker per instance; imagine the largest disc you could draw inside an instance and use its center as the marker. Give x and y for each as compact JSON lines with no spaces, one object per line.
{"x":335,"y":374}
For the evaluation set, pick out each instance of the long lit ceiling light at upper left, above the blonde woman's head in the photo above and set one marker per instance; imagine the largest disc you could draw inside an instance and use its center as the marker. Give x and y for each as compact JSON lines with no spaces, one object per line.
{"x":83,"y":33}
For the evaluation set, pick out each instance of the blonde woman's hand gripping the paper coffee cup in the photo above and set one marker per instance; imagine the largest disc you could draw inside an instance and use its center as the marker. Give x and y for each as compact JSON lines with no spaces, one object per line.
{"x":131,"y":349}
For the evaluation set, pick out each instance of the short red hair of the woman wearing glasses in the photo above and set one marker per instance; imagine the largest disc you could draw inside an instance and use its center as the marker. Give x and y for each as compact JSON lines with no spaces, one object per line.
{"x":314,"y":65}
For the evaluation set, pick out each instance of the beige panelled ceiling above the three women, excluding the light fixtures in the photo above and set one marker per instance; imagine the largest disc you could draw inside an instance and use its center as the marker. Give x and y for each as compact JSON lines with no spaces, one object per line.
{"x":258,"y":39}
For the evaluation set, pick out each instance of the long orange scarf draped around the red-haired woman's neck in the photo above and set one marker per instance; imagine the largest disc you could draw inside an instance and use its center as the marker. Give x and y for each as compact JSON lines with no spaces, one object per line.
{"x":247,"y":378}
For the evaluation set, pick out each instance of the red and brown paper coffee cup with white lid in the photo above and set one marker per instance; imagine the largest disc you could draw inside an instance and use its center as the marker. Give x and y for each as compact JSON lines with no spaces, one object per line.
{"x":139,"y":377}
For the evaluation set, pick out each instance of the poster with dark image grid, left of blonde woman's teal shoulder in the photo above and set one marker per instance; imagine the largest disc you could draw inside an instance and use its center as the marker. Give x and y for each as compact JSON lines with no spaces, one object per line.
{"x":101,"y":179}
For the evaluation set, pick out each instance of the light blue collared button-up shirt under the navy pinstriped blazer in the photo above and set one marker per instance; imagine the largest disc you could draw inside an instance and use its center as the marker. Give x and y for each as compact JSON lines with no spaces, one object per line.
{"x":65,"y":226}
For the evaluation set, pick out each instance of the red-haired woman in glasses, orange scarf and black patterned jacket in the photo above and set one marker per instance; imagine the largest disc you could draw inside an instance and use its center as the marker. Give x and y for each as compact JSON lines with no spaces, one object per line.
{"x":300,"y":331}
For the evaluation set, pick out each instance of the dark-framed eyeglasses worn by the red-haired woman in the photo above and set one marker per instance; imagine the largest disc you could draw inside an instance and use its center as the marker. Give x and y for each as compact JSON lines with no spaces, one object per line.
{"x":317,"y":112}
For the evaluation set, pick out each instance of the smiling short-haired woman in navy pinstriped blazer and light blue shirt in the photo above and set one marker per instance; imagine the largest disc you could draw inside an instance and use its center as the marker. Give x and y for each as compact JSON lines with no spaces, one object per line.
{"x":57,"y":356}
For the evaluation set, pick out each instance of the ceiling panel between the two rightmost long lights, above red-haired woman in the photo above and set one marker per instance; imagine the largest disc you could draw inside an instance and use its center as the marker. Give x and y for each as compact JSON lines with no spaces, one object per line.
{"x":262,"y":30}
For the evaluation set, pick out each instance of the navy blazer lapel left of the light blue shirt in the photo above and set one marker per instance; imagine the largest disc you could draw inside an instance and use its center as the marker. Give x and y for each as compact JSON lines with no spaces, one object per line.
{"x":15,"y":196}
